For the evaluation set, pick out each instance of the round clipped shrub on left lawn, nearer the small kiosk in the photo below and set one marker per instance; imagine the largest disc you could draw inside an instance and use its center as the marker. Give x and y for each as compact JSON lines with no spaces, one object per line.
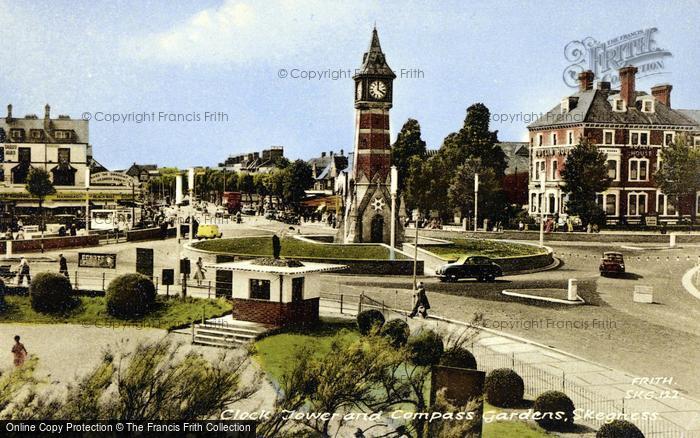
{"x":130,"y":295}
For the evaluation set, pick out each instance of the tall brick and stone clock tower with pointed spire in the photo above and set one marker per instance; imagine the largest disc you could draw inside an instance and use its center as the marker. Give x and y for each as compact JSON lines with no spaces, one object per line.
{"x":367,"y":215}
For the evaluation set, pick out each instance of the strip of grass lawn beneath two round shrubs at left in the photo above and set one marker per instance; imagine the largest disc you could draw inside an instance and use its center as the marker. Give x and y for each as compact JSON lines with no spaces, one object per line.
{"x":170,"y":313}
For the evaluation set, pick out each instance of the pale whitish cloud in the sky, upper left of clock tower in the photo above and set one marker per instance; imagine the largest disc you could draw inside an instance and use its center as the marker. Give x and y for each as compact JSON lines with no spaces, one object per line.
{"x":237,"y":32}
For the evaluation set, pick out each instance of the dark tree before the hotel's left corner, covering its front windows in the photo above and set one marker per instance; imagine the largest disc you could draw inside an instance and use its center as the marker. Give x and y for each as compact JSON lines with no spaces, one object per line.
{"x":585,"y":175}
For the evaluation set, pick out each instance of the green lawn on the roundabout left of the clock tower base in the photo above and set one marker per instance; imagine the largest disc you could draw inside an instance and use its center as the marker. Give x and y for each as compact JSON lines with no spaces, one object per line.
{"x":262,"y":246}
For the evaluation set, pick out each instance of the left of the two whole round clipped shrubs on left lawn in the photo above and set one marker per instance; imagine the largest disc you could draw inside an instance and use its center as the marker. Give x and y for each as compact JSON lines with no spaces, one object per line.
{"x":51,"y":292}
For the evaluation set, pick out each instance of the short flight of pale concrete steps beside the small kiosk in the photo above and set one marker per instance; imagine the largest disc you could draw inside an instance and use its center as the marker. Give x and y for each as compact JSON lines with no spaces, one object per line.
{"x":226,"y":332}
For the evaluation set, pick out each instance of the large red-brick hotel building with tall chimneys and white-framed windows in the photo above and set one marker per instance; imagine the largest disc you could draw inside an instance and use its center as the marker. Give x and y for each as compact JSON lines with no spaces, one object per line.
{"x":631,"y":127}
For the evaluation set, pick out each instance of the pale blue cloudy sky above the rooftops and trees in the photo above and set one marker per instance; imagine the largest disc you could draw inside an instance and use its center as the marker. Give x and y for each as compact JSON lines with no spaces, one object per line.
{"x":235,"y":73}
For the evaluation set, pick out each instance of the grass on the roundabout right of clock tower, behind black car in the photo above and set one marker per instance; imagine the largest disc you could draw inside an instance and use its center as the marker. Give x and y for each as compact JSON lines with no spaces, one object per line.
{"x":489,"y":248}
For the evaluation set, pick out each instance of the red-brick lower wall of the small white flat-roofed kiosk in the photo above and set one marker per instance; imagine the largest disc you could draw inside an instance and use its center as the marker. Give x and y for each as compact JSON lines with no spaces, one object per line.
{"x":275,"y":313}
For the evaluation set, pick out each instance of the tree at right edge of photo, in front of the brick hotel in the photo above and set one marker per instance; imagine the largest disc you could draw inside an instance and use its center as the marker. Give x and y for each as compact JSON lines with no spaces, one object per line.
{"x":679,"y":173}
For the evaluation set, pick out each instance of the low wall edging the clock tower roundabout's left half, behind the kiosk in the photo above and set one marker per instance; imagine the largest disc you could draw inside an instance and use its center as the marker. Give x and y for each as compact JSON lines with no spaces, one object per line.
{"x":354,"y":266}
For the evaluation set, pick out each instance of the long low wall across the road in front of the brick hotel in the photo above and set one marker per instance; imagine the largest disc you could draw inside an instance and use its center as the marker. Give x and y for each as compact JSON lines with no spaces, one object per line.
{"x":563,"y":237}
